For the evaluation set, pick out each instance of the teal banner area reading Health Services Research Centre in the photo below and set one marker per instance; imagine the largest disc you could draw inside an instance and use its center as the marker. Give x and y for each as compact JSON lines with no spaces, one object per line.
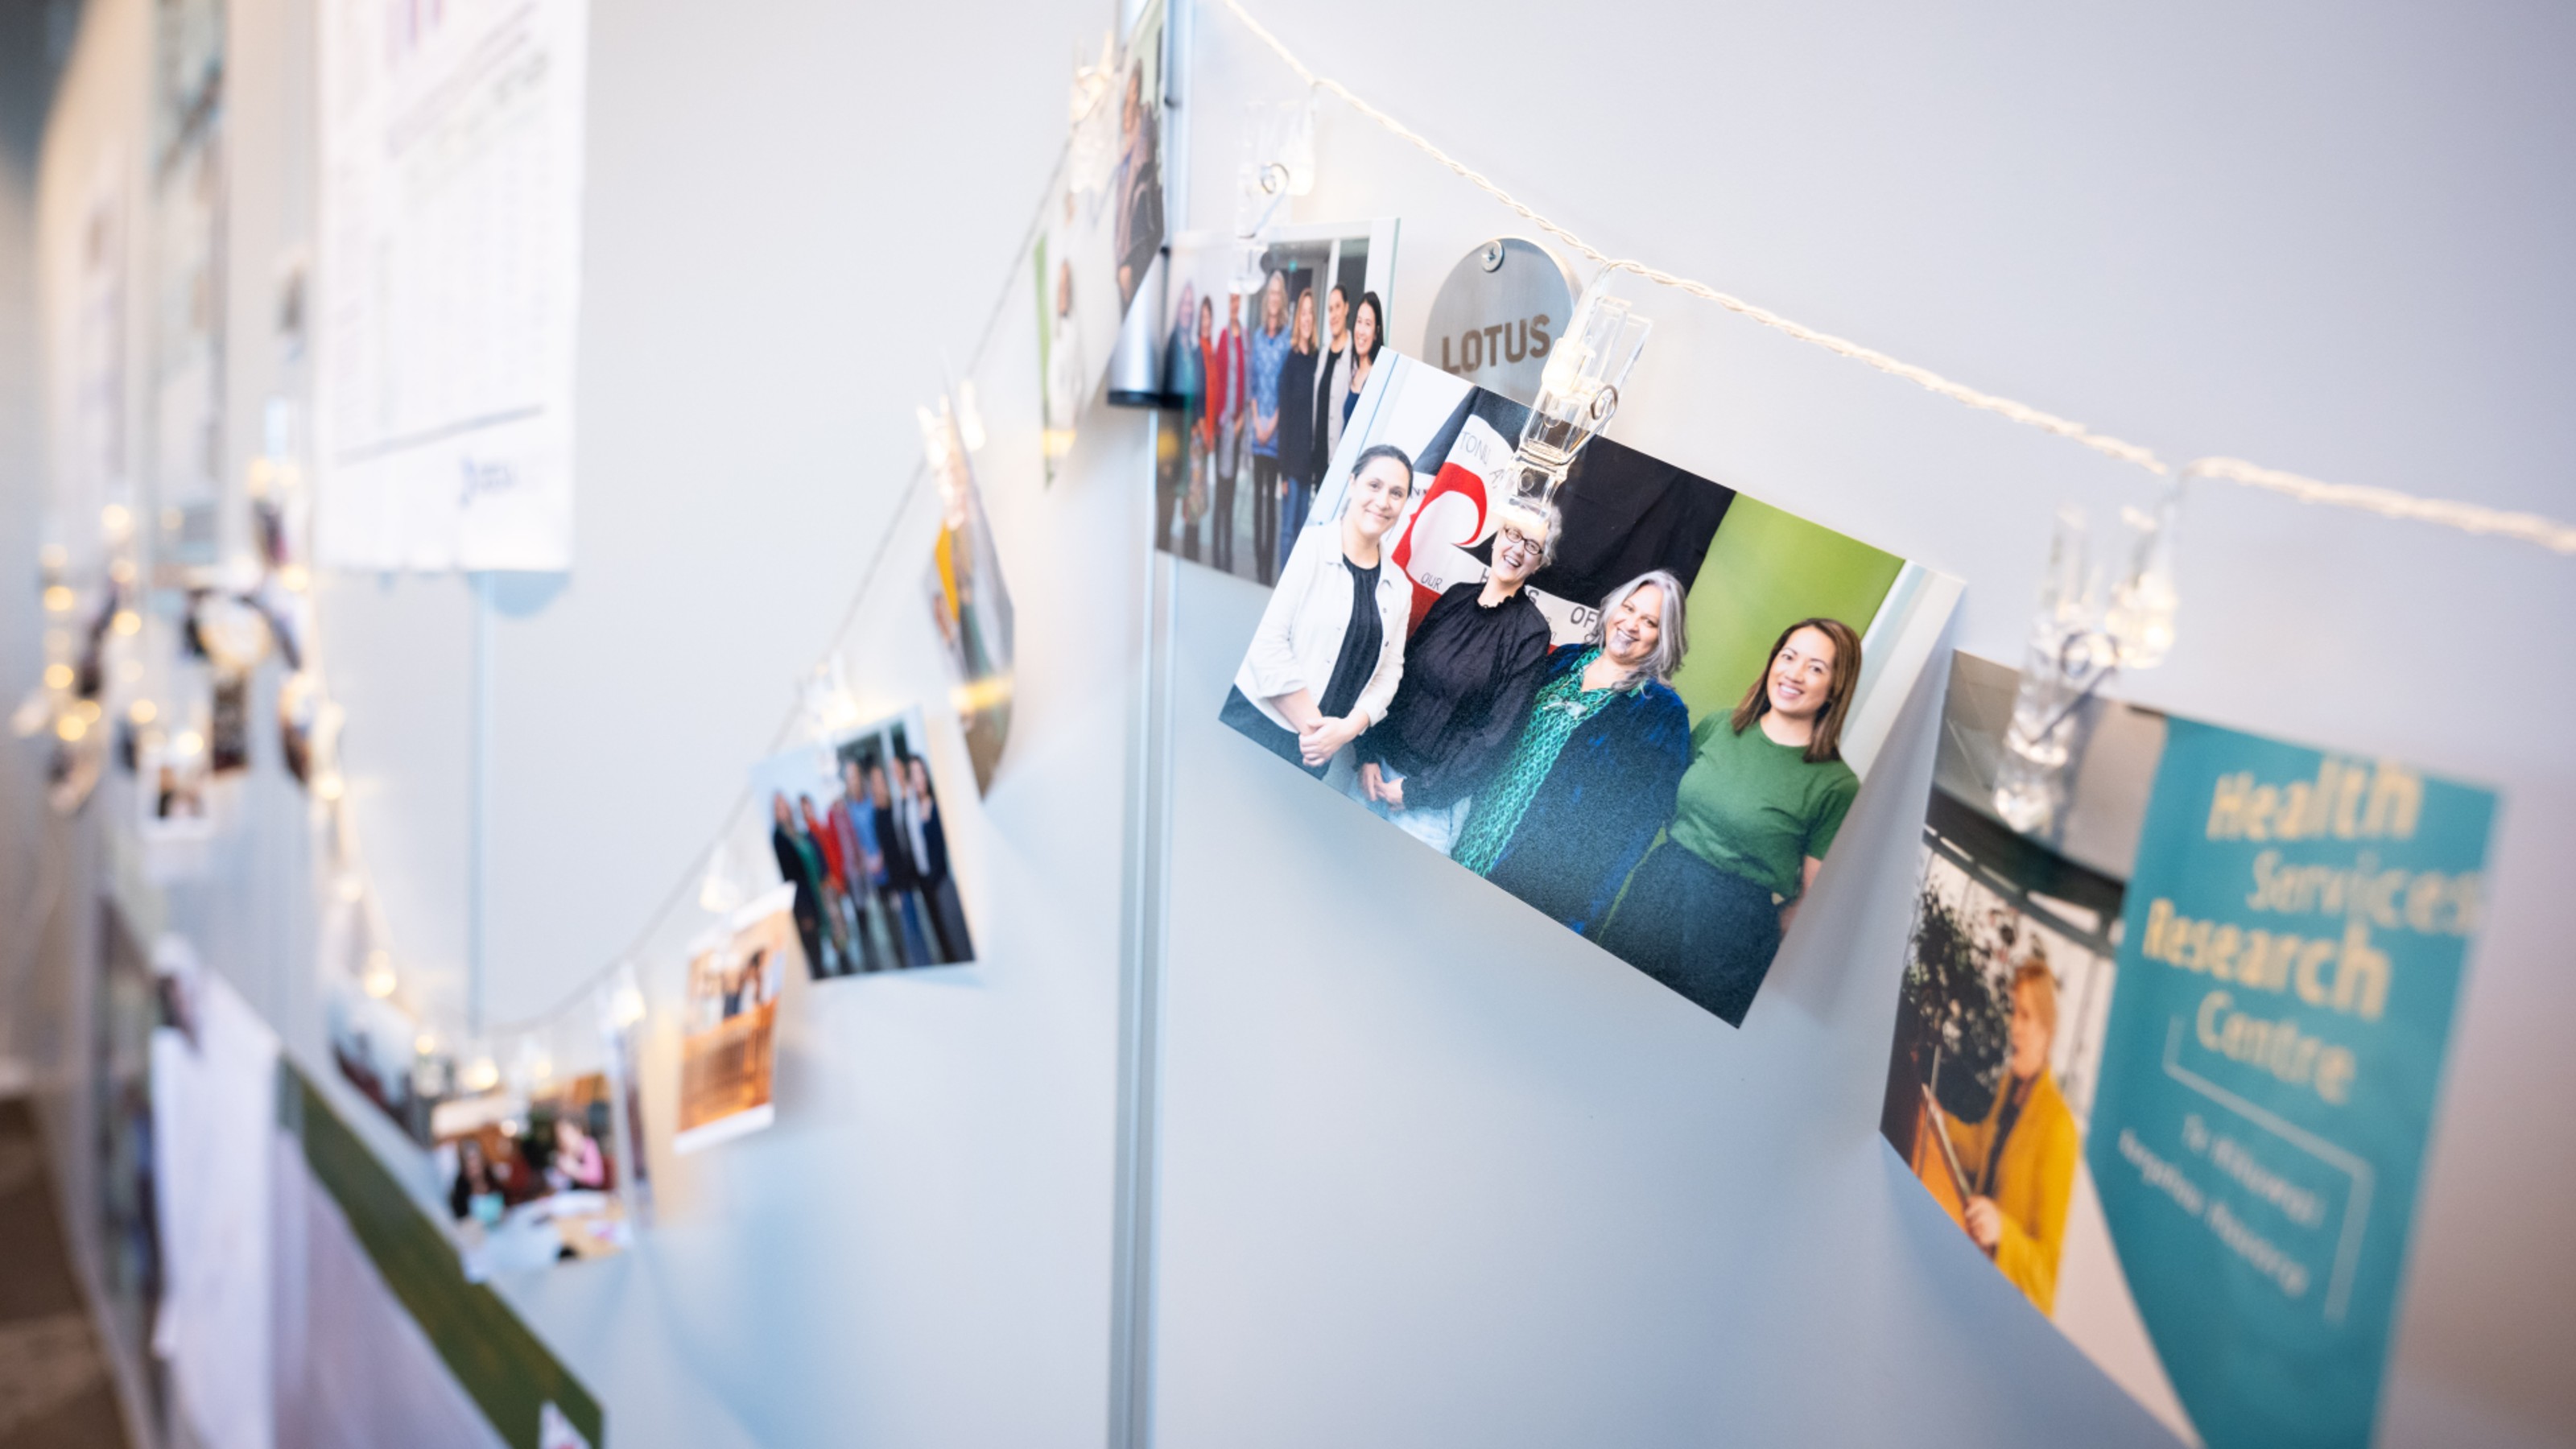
{"x":2294,"y":942}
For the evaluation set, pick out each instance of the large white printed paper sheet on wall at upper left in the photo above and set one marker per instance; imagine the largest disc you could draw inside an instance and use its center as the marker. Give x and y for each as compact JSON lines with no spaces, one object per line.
{"x":450,"y":280}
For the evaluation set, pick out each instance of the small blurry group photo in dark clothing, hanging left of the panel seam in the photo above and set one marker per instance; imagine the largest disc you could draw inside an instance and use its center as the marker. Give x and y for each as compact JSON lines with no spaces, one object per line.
{"x":857,"y":829}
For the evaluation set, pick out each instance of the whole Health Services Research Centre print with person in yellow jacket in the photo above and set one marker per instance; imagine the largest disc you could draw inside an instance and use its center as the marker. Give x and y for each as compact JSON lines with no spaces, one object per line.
{"x":2173,"y":1064}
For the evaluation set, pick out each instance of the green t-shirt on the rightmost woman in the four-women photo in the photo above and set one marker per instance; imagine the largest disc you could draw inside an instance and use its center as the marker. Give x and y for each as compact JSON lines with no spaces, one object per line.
{"x":1756,"y":808}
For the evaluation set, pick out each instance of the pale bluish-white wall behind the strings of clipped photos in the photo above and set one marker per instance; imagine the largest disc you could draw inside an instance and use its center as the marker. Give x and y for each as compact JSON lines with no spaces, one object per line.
{"x":1434,"y":1172}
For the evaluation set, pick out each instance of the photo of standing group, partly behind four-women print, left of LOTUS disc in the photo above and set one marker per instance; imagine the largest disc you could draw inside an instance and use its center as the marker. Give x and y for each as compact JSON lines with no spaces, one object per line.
{"x":1261,"y":370}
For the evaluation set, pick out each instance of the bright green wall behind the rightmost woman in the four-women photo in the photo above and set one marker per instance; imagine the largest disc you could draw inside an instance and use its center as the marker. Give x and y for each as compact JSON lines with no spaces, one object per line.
{"x":1763,"y":574}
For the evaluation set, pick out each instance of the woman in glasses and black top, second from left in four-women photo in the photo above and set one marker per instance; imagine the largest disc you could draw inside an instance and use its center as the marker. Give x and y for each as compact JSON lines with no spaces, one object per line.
{"x":1470,"y":677}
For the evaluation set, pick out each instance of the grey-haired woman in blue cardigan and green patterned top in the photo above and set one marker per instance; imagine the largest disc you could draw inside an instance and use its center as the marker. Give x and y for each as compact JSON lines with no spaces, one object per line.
{"x":1596,"y":764}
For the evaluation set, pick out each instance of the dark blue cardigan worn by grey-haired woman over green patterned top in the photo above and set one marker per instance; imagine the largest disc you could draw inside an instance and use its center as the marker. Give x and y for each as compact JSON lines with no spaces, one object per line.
{"x":1601,"y":806}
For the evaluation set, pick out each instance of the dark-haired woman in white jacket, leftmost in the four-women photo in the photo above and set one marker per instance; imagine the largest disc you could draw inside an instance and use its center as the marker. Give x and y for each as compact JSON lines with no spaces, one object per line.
{"x":1331,"y":648}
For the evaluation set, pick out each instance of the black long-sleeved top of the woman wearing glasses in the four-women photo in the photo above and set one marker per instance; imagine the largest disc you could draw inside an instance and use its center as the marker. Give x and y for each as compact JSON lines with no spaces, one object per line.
{"x":1470,"y":679}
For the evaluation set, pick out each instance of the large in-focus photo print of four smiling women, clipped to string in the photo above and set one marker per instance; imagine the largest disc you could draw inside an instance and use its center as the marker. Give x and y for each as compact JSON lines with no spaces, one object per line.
{"x":1645,"y":713}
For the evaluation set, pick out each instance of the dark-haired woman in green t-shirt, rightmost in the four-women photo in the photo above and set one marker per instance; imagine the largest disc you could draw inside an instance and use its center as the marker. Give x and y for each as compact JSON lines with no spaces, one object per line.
{"x":1756,"y":816}
